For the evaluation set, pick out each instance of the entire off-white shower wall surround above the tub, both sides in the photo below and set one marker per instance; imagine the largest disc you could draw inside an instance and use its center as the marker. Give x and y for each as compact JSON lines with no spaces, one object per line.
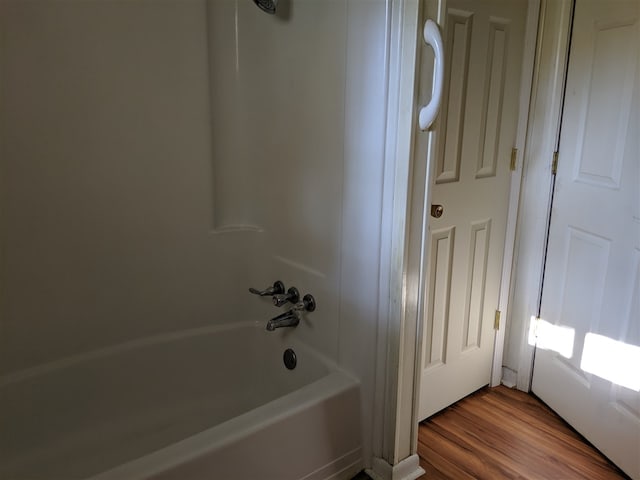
{"x":158,"y":157}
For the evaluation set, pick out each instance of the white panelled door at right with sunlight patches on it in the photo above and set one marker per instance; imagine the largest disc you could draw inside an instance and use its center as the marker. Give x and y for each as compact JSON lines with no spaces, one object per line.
{"x":587,"y":364}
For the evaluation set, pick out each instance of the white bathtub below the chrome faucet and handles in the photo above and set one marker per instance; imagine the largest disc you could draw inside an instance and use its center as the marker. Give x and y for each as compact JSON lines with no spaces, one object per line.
{"x":215,"y":403}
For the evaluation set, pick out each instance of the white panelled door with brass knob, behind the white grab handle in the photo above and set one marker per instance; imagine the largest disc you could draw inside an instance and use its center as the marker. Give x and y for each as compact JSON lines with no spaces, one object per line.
{"x":483,"y":44}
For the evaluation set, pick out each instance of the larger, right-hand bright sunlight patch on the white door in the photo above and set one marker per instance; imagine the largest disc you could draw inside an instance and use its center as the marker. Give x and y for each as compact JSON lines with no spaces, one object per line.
{"x":612,"y":360}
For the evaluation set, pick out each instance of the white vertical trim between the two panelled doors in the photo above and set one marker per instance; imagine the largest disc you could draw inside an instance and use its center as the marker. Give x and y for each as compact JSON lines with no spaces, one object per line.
{"x":542,"y":139}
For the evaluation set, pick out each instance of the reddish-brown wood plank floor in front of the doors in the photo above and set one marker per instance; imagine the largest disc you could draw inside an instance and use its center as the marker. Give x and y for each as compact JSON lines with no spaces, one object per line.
{"x":503,"y":433}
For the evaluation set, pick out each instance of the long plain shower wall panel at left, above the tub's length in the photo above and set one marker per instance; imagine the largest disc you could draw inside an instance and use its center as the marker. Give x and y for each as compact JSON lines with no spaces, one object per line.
{"x":105,"y":184}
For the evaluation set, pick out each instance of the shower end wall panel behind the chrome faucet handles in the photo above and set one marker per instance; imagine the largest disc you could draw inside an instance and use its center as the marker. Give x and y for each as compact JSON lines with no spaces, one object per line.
{"x":278,"y":121}
